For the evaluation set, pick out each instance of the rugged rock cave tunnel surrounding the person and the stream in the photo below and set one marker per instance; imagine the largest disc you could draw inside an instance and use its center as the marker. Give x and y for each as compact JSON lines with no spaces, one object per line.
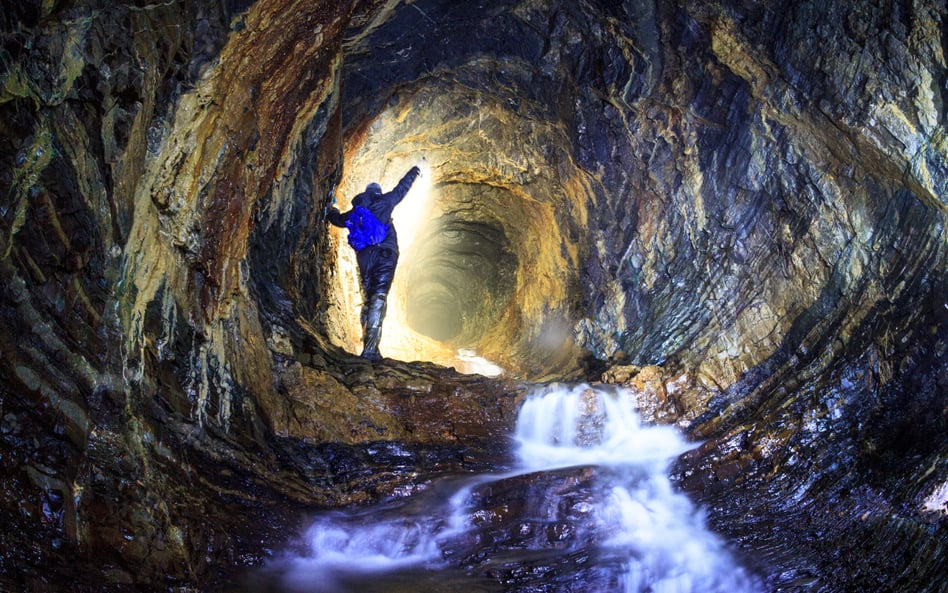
{"x":734,"y":209}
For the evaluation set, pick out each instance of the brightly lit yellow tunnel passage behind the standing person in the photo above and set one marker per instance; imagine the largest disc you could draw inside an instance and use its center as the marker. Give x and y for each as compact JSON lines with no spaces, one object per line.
{"x":489,"y":235}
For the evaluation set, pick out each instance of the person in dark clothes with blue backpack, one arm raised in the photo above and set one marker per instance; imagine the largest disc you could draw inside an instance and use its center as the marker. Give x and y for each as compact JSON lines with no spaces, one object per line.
{"x":377,"y":255}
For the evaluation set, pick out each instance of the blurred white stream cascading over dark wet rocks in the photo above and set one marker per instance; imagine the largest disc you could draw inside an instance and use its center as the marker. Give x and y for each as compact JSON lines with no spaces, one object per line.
{"x":627,"y":517}
